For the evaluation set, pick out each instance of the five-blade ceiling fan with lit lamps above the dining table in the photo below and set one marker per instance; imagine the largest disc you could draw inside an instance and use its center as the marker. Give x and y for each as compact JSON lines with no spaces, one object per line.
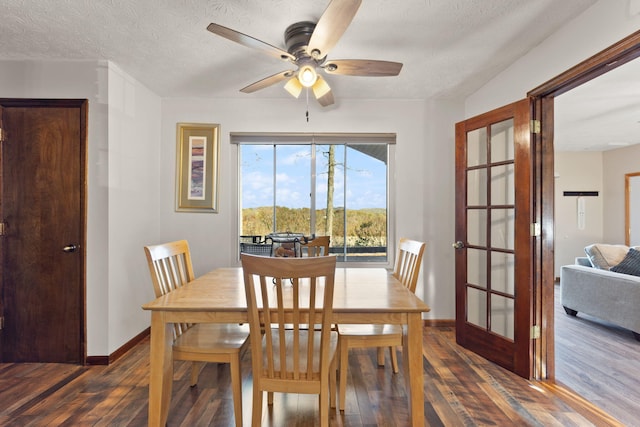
{"x":308,"y":44}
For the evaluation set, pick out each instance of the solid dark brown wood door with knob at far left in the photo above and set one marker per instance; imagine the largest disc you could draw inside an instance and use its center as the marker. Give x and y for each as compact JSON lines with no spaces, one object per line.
{"x":43,"y":256}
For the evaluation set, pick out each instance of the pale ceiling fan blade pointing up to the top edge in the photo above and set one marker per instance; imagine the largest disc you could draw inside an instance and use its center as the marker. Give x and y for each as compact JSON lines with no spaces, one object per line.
{"x":332,"y":24}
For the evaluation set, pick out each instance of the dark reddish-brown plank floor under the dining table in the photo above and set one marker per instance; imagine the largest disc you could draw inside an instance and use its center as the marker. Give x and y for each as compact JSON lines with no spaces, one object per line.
{"x":461,"y":389}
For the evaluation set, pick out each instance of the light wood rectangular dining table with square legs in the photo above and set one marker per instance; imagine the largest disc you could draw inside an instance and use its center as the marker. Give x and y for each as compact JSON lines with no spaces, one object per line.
{"x":361,"y":295}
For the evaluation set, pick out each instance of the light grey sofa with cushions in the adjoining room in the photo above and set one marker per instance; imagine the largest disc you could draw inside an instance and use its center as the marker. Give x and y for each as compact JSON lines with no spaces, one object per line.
{"x":604,"y":284}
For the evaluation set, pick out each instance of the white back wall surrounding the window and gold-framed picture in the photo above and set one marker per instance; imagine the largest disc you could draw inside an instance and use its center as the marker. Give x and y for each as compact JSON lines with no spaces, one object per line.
{"x":424,"y":174}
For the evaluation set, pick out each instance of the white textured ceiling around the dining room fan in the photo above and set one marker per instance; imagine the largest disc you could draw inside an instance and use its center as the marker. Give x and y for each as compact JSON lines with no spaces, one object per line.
{"x":448,"y":47}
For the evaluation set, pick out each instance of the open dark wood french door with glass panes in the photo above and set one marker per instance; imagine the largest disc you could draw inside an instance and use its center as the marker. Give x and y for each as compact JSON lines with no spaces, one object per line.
{"x":494,"y":282}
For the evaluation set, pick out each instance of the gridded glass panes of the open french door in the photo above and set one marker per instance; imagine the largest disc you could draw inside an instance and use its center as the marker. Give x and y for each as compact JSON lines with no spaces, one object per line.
{"x":490,"y":228}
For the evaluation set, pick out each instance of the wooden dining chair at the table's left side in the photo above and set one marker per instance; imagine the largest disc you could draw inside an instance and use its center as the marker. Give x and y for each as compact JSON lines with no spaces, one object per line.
{"x":170,"y":267}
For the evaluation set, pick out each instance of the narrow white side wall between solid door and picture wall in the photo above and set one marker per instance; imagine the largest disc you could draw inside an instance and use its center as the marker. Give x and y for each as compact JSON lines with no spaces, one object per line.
{"x":134,"y":200}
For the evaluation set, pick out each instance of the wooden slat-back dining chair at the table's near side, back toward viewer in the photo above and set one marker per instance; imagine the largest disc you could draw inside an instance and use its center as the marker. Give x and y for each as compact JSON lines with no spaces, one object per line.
{"x":287,"y":295}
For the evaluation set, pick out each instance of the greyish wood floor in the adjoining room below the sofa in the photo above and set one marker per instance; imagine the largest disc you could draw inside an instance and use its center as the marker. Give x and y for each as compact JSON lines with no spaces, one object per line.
{"x":599,"y":361}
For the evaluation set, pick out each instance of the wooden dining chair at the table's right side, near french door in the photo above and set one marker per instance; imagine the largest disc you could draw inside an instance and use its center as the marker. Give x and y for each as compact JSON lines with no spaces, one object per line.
{"x":407,"y":270}
